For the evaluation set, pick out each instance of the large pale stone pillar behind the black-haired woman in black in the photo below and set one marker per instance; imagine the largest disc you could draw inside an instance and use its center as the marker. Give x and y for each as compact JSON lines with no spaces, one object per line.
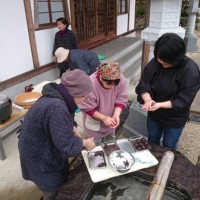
{"x":164,"y":18}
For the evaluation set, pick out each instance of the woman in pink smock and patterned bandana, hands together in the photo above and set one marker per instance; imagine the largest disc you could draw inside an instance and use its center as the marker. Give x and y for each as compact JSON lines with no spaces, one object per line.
{"x":103,"y":106}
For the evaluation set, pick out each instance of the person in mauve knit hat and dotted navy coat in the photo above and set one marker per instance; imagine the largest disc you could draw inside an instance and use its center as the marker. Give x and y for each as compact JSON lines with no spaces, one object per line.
{"x":49,"y":135}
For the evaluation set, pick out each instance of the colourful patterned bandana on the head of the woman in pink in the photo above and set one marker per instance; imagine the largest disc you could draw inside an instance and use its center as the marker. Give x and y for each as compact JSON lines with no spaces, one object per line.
{"x":109,"y":71}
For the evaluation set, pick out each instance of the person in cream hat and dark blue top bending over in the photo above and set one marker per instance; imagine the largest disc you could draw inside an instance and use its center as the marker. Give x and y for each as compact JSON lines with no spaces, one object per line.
{"x":83,"y":59}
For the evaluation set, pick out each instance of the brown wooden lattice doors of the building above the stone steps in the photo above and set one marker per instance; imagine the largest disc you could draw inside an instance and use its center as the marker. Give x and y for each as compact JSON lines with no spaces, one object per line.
{"x":94,"y":20}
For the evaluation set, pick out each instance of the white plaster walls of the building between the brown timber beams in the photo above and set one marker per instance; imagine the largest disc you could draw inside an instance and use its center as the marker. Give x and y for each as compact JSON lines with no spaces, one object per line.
{"x":15,"y":50}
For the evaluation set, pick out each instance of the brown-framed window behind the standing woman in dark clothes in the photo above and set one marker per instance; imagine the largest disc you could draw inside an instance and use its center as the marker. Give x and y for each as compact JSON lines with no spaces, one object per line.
{"x":47,"y":11}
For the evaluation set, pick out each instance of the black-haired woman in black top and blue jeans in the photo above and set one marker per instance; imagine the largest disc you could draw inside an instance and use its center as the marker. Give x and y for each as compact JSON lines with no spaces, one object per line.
{"x":167,"y":89}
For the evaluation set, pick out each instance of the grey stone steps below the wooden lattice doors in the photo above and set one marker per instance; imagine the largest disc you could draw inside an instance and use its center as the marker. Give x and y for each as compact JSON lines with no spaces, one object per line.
{"x":125,"y":50}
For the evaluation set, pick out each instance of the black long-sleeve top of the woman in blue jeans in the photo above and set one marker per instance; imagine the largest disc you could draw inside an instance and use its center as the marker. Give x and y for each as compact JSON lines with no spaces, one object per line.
{"x":179,"y":84}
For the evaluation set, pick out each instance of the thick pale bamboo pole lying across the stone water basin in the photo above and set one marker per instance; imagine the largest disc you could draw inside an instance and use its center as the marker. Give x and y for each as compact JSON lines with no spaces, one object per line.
{"x":159,"y":182}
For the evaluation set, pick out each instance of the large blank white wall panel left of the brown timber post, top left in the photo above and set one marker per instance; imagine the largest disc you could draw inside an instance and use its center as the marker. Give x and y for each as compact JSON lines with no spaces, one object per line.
{"x":15,"y":51}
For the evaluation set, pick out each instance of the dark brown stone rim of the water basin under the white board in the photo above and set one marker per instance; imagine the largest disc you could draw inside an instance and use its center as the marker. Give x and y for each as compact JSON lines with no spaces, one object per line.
{"x":184,"y":177}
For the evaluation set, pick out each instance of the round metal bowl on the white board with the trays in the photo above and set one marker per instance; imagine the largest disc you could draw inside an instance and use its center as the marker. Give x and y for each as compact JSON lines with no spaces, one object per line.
{"x":122,"y":161}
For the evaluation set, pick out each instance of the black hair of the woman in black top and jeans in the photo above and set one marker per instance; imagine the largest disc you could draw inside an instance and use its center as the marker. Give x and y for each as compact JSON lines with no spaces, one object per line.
{"x":170,"y":48}
